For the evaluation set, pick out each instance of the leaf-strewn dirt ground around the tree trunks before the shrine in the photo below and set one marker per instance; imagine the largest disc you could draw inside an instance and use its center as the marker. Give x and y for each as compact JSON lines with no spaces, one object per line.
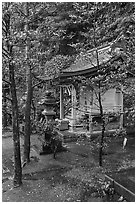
{"x":74,"y":176}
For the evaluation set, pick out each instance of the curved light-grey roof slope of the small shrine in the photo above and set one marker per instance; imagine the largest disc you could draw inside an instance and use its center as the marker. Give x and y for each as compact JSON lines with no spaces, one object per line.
{"x":88,"y":60}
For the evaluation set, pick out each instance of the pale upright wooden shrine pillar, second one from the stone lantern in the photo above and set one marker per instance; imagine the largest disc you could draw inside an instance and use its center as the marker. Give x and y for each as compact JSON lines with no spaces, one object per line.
{"x":73,"y":112}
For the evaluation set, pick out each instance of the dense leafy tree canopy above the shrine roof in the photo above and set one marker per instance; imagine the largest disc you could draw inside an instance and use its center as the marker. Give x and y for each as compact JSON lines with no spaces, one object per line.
{"x":63,"y":28}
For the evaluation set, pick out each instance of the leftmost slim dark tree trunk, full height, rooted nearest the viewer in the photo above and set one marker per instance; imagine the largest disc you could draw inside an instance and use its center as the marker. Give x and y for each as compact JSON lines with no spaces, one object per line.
{"x":17,"y":181}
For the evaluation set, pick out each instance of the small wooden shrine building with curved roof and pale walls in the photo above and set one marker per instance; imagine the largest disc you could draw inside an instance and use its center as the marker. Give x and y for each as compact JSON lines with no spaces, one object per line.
{"x":83,"y":98}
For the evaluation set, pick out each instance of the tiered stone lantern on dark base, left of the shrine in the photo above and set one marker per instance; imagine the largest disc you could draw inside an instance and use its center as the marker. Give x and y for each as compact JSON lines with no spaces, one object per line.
{"x":50,"y":138}
